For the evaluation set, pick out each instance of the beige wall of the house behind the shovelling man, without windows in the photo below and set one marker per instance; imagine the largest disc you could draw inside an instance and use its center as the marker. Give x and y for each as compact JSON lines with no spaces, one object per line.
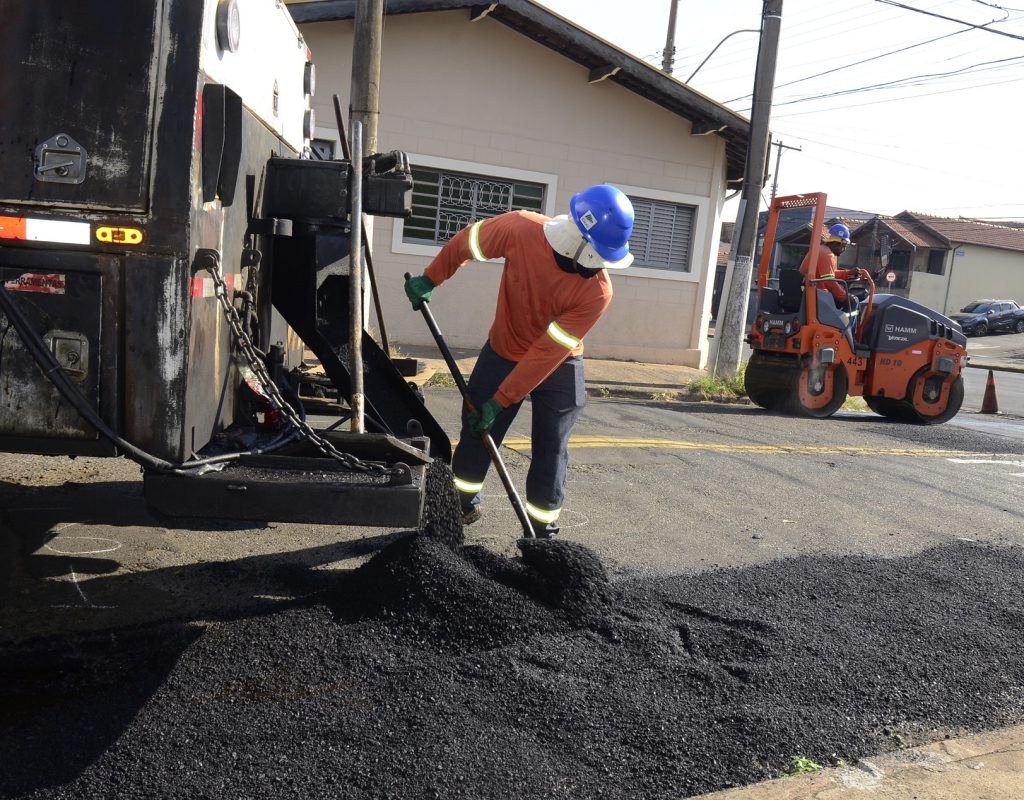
{"x":481,"y":98}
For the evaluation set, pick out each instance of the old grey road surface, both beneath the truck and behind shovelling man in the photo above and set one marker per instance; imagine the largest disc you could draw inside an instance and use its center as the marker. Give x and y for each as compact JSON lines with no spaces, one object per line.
{"x":673,"y":488}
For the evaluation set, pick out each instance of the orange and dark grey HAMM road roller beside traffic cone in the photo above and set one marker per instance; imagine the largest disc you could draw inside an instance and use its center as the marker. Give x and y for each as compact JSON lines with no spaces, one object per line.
{"x":808,"y":356}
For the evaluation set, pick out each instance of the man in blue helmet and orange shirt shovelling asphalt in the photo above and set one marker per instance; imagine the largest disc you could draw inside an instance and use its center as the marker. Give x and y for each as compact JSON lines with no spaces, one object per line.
{"x":554,"y":289}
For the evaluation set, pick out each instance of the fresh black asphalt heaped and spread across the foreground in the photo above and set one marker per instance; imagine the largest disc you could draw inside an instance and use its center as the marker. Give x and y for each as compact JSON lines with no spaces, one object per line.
{"x":438,"y":670}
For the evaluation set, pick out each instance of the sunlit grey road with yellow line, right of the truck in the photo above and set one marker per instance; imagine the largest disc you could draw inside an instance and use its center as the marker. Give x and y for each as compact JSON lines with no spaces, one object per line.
{"x":686,"y":487}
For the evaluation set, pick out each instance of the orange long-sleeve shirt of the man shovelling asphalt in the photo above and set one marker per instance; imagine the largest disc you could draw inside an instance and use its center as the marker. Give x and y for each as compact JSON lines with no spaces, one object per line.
{"x":543,"y":313}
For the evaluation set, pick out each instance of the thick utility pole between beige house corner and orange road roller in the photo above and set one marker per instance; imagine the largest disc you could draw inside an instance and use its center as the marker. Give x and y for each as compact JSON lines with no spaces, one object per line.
{"x":735,"y":323}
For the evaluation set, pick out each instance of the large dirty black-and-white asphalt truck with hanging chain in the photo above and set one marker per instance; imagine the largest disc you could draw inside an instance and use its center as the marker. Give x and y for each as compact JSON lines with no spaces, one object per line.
{"x":169,"y":249}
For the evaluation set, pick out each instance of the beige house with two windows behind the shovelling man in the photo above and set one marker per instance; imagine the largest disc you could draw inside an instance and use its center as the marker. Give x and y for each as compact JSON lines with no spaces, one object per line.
{"x":506,"y":105}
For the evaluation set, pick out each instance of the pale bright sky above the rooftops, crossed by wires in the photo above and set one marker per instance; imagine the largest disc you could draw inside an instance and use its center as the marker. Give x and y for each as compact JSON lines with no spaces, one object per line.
{"x":934,"y":129}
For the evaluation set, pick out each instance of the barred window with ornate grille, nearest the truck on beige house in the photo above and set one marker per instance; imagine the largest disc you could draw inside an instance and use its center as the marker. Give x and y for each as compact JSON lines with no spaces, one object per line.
{"x":445,"y":202}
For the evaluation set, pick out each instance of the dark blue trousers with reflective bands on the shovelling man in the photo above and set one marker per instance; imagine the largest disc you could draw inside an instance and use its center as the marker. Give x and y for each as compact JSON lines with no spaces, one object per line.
{"x":558,"y":404}
